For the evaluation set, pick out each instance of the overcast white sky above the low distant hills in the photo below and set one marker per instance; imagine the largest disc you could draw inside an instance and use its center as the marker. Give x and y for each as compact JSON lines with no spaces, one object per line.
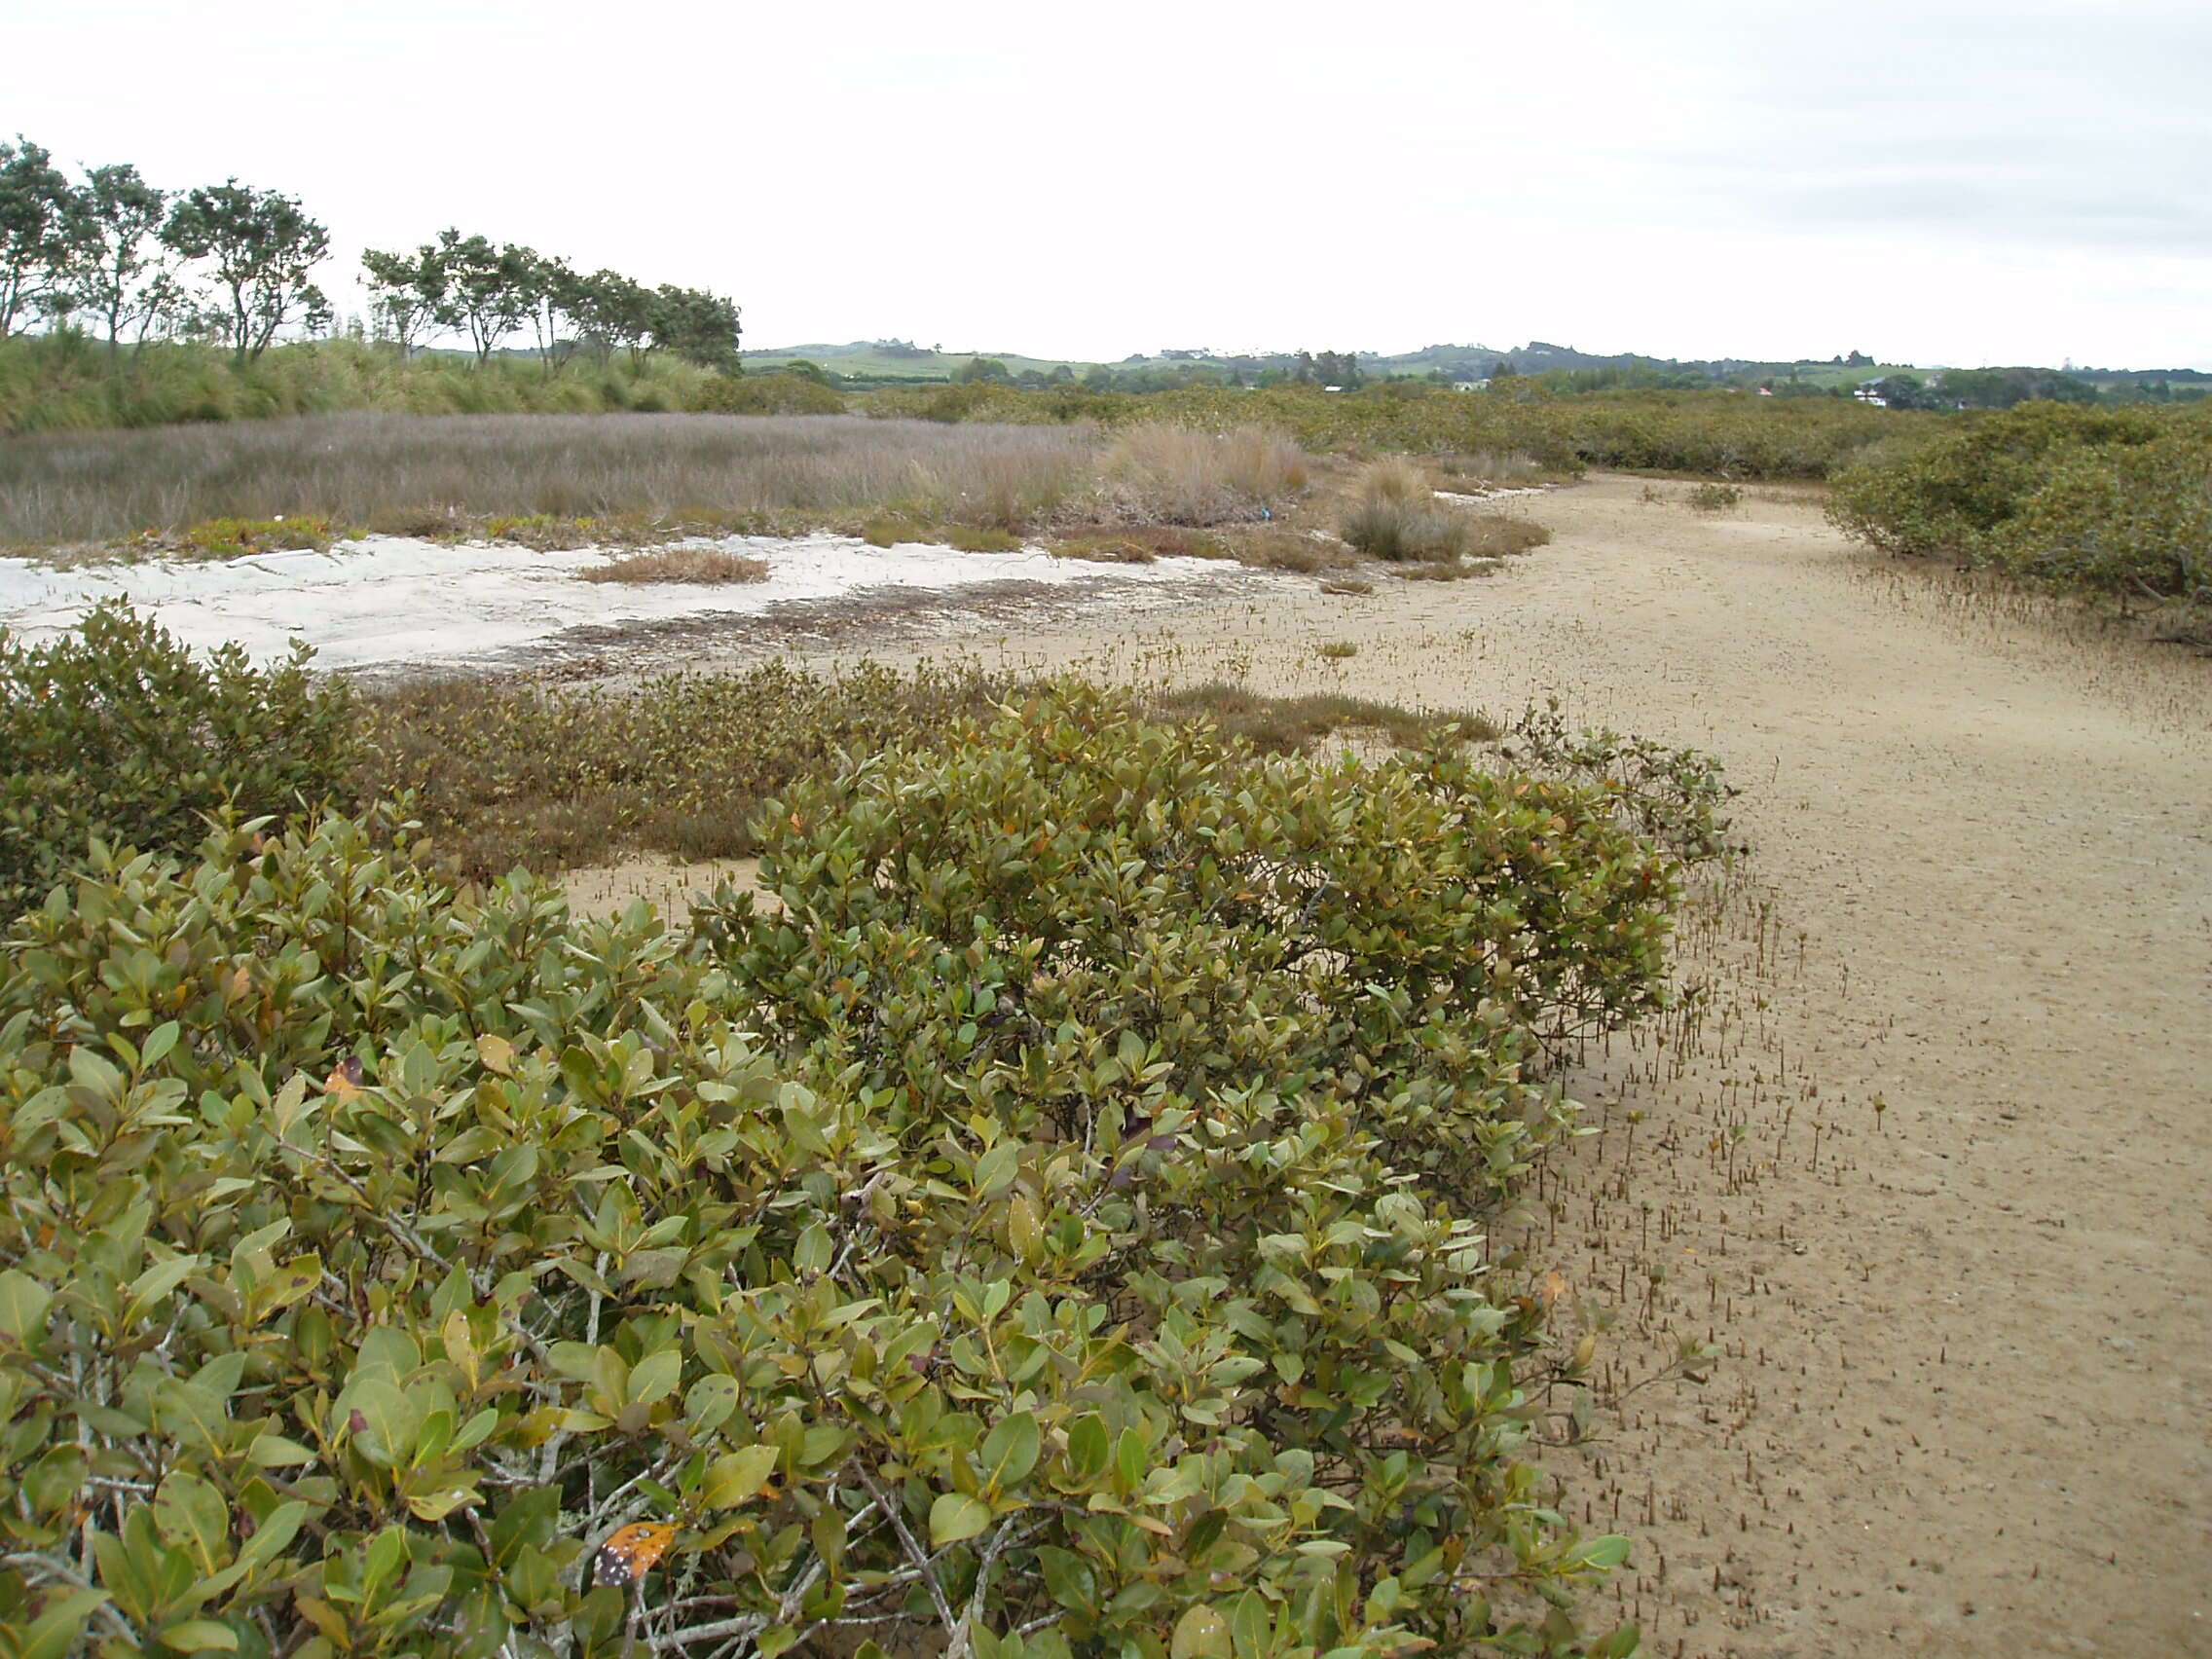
{"x":1928,"y":180}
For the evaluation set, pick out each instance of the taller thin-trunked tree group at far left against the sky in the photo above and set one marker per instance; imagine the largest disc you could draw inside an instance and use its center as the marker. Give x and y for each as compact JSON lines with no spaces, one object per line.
{"x":220,"y":262}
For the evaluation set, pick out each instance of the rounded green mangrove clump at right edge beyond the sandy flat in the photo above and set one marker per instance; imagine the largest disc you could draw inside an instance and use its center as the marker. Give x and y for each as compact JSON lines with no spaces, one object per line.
{"x":2103,"y":501}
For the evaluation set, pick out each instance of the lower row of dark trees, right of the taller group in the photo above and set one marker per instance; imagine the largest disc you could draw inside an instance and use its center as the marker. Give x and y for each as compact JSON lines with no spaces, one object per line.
{"x":490,"y":293}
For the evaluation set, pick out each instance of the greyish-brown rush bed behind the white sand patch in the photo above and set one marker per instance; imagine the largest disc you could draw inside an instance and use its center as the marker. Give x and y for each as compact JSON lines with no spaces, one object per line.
{"x":583,"y":481}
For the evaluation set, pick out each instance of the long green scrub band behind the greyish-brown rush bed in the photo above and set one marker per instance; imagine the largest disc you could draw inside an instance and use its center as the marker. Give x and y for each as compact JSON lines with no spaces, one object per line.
{"x":67,"y":384}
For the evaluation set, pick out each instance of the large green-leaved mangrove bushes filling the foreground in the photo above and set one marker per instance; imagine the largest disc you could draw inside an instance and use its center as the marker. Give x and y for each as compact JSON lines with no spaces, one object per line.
{"x":1054,"y":1229}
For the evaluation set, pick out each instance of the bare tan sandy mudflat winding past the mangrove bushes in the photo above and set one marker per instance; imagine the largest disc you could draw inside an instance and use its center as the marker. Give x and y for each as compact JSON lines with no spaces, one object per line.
{"x":1970,"y":1357}
